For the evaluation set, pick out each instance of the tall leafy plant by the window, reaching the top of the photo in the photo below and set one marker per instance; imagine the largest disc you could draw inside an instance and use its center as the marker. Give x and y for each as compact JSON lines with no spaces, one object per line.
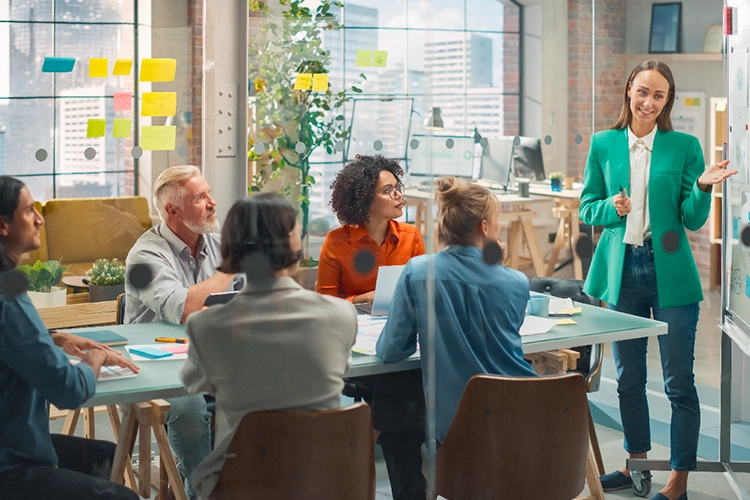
{"x":290,"y":43}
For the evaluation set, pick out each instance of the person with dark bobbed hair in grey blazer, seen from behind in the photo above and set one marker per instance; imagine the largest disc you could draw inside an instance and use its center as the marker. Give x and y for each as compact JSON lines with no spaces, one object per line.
{"x":275,"y":346}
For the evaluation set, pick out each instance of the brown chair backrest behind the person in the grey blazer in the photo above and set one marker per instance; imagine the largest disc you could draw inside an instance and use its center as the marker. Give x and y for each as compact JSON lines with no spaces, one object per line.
{"x":295,"y":455}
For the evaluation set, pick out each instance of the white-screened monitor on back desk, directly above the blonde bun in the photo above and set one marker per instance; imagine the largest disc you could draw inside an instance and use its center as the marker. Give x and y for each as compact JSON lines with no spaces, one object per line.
{"x":433,"y":157}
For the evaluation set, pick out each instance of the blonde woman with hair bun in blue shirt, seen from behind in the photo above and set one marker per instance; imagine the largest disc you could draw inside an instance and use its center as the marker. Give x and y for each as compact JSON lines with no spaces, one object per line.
{"x":479,"y":306}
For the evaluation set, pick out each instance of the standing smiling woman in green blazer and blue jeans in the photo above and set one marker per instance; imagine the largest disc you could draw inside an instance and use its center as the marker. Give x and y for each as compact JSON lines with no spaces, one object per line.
{"x":645,"y":183}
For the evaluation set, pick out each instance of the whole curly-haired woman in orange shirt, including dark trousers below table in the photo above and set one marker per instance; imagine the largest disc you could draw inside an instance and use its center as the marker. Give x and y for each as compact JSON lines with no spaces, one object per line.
{"x":367,"y":197}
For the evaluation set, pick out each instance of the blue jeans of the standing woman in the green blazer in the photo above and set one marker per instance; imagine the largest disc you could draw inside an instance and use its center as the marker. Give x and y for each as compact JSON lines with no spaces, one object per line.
{"x":639,"y":297}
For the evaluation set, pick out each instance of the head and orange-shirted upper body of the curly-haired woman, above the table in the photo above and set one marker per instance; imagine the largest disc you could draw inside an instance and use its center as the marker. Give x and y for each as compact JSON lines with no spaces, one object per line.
{"x":367,"y":197}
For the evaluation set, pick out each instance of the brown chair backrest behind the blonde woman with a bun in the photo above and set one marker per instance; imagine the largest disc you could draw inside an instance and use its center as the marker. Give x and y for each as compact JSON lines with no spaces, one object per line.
{"x":521,"y":438}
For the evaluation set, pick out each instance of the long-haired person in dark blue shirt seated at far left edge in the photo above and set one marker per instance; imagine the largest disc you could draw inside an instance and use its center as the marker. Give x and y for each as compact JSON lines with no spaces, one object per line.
{"x":34,"y":371}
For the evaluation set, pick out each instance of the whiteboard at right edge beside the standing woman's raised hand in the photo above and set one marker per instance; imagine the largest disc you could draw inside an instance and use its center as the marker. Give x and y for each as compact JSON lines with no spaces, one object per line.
{"x":736,"y":283}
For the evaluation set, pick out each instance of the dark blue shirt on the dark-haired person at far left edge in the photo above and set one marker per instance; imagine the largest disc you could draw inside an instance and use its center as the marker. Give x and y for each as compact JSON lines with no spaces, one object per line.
{"x":33,"y":371}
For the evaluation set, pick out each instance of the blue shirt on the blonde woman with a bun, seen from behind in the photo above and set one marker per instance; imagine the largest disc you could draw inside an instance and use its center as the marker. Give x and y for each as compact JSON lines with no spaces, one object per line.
{"x":479,"y":309}
